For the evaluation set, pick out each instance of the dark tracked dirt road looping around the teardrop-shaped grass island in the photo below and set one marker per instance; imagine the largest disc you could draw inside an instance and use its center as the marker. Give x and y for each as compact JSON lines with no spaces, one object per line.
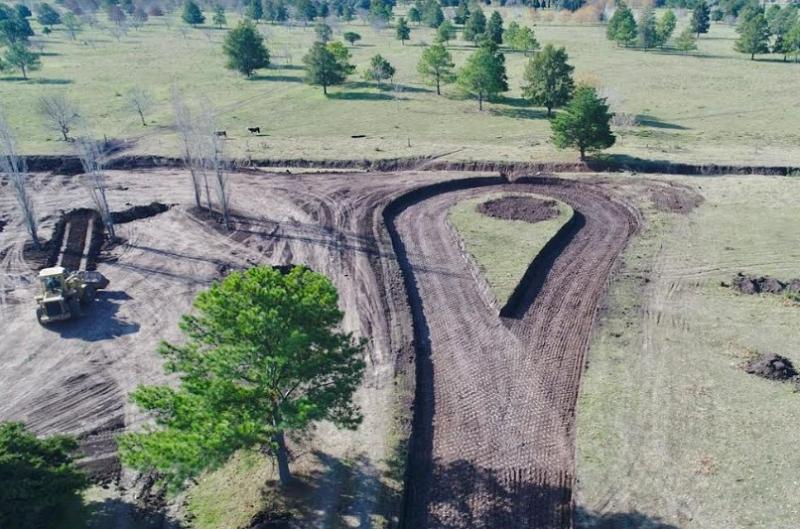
{"x":493,"y":443}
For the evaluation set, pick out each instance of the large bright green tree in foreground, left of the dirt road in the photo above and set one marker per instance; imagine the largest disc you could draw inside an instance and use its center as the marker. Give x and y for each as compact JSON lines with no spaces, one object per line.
{"x":264,"y":355}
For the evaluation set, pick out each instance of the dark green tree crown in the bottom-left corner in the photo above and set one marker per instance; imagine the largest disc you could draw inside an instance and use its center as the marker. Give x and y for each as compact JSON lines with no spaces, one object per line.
{"x":38,"y":476}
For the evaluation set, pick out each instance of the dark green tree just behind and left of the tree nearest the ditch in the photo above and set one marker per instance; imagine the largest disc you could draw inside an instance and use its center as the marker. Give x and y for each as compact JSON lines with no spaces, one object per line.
{"x":548,"y":78}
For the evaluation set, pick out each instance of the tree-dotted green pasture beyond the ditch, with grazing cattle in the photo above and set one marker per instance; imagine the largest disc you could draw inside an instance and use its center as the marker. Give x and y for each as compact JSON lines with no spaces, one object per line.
{"x":714,"y":106}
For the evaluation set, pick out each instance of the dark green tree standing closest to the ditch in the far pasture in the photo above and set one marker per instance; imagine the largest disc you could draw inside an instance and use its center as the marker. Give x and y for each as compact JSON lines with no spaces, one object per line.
{"x":584,"y":124}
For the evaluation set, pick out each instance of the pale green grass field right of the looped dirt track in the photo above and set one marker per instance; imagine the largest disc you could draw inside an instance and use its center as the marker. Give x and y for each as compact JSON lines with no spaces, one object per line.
{"x":669,"y":425}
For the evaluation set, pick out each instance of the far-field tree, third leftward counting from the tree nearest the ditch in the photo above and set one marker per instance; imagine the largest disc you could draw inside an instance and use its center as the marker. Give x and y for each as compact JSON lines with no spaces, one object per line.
{"x":484,"y":74}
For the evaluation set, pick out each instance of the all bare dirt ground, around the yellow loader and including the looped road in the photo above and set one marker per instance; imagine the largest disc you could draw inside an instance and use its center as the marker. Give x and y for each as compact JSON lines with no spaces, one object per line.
{"x":494,"y":410}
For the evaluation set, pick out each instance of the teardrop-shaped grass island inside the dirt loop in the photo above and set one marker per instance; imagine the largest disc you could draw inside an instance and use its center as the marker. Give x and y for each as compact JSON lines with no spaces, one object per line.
{"x":503,"y":249}
